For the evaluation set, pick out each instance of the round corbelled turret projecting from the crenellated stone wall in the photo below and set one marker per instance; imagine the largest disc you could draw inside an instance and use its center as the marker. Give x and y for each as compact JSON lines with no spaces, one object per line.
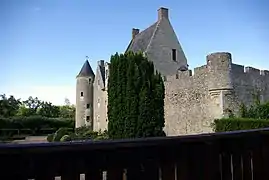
{"x":220,"y":84}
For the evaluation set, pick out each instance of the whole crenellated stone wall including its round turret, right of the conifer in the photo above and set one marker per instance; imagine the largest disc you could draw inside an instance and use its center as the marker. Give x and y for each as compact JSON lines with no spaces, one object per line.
{"x":193,"y":101}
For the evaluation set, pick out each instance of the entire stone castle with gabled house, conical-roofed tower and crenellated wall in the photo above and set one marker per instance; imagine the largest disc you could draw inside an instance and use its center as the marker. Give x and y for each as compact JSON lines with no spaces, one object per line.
{"x":192,"y":100}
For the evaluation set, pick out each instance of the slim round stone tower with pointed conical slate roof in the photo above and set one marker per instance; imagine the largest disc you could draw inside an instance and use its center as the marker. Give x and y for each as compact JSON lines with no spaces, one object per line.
{"x":84,"y":96}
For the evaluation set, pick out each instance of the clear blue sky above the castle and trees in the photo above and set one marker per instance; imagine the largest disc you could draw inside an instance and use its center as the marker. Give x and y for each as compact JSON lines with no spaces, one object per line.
{"x":43,"y":43}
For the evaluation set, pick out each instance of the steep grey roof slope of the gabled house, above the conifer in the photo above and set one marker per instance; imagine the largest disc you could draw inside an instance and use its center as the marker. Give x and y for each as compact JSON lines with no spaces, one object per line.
{"x":142,"y":40}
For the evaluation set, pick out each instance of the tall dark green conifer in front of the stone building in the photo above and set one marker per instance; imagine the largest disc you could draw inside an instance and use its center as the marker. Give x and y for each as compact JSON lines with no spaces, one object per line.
{"x":135,"y":97}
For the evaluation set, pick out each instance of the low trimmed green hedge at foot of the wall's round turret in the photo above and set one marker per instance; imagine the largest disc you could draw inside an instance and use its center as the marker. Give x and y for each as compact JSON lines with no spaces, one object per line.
{"x":233,"y":124}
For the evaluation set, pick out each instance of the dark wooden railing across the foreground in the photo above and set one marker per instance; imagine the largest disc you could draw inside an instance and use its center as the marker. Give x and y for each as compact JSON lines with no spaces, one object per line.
{"x":241,"y":155}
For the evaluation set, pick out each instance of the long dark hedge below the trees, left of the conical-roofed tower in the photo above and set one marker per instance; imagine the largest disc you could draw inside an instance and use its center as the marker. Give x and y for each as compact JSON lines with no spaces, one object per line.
{"x":34,"y":123}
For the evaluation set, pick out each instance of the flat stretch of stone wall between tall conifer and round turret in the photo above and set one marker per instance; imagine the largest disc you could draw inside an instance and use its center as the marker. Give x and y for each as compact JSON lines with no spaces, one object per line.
{"x":187,"y":103}
